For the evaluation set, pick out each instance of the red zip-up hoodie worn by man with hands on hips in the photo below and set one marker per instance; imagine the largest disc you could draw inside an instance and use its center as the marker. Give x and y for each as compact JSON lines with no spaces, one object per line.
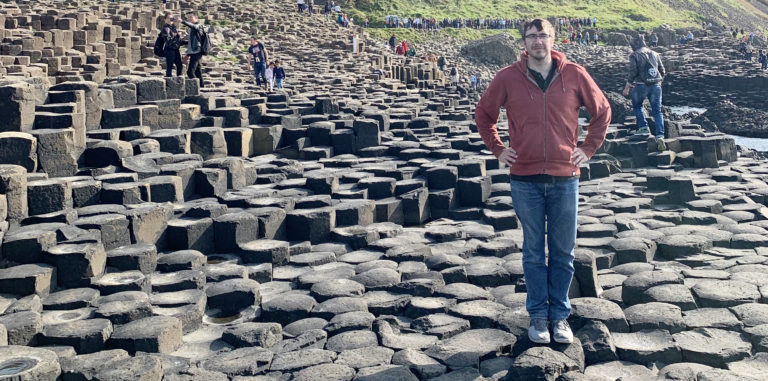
{"x":543,"y":126}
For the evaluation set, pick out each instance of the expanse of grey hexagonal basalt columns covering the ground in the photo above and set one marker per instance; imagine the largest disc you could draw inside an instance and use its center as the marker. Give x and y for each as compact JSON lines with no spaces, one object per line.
{"x":350,"y":226}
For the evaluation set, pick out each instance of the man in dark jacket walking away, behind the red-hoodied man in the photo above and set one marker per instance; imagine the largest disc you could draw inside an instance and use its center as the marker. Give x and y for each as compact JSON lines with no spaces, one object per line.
{"x":646,"y":72}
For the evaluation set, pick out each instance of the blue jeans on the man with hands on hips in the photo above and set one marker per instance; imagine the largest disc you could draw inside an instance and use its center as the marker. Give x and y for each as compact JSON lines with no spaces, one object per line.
{"x":547,"y":208}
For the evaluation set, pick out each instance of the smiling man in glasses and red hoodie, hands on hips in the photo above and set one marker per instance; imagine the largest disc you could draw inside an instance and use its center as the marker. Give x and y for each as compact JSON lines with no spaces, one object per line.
{"x":542,"y":94}
